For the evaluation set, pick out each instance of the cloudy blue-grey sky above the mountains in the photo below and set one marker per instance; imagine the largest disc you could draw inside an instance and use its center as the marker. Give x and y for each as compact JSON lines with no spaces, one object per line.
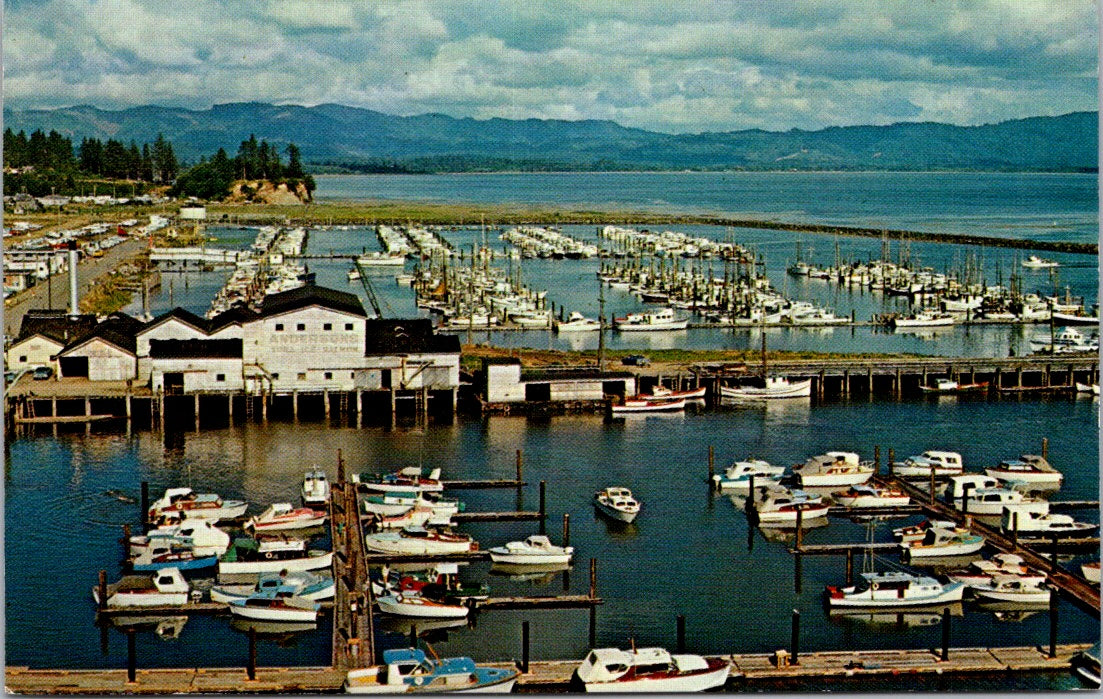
{"x":674,"y":67}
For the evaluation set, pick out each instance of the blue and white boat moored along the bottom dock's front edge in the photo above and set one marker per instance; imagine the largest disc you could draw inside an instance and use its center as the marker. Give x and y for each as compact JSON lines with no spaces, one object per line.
{"x":411,"y":671}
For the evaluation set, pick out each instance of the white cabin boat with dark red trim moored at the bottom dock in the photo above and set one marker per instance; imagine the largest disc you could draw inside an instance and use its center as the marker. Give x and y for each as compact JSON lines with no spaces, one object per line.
{"x":650,"y":671}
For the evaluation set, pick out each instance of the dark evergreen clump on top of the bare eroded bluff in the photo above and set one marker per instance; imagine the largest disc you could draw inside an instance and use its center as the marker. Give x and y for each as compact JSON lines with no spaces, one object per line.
{"x":213,"y":178}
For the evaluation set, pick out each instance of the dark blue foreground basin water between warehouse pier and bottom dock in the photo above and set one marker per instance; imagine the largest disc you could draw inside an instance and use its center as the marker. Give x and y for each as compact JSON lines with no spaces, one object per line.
{"x":688,"y":554}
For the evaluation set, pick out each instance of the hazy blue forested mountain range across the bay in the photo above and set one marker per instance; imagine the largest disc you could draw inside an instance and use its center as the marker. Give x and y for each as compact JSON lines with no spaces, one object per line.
{"x":336,"y":135}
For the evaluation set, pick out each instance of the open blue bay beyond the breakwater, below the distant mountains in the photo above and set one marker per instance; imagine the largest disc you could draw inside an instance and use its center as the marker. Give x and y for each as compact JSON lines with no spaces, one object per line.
{"x":1015,"y":206}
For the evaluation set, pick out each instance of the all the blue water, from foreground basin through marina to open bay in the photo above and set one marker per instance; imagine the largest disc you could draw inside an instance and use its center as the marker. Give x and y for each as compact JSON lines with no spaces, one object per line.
{"x":692,"y":553}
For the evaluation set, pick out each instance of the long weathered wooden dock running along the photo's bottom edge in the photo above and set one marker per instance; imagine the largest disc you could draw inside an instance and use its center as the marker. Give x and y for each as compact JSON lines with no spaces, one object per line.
{"x":551,"y":675}
